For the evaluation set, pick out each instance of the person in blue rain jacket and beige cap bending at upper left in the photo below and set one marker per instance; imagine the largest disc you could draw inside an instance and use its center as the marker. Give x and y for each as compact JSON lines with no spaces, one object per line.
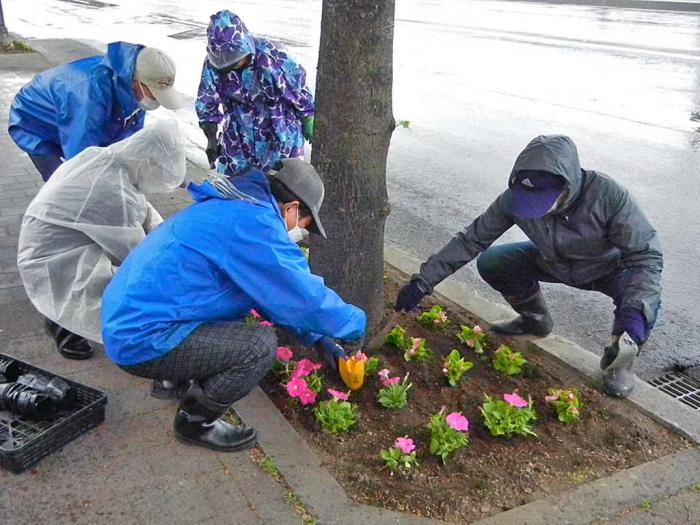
{"x":95,"y":101}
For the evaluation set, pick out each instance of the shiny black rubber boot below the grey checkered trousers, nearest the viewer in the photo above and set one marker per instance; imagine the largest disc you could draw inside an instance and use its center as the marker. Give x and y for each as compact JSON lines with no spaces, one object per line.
{"x":198,"y":422}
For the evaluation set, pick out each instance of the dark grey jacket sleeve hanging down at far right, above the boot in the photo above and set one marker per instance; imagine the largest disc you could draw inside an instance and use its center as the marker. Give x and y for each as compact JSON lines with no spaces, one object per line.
{"x":632,"y":233}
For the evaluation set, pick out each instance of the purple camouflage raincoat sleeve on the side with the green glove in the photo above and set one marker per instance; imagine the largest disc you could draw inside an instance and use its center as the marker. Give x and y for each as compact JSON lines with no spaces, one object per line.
{"x":288,"y":78}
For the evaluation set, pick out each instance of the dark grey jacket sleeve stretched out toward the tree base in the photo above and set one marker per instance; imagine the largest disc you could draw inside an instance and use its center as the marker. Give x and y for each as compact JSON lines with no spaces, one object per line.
{"x":466,"y":245}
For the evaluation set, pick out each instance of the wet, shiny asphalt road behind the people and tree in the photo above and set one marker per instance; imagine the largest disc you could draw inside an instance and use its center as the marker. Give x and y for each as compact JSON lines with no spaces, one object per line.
{"x":477,"y":81}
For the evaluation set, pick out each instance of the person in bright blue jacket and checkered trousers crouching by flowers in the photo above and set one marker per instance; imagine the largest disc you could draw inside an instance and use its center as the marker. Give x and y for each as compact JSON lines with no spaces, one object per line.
{"x":175,"y":309}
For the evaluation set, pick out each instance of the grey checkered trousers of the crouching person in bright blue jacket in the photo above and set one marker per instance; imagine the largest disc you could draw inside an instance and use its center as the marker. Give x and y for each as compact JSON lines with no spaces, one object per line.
{"x":227,"y":358}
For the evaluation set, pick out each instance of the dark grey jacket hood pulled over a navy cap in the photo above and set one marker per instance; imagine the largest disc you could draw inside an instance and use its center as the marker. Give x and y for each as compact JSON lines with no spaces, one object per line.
{"x":554,"y":154}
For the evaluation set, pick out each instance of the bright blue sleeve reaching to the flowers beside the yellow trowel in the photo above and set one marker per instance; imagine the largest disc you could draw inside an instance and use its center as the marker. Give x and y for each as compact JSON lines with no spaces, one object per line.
{"x":274,"y":273}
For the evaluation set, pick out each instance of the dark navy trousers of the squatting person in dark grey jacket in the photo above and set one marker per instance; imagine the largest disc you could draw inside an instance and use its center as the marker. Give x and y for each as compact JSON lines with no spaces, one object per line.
{"x":512,"y":269}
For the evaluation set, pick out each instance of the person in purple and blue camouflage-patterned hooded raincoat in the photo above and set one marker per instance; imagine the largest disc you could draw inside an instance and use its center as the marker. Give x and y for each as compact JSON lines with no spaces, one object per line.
{"x":257,"y":94}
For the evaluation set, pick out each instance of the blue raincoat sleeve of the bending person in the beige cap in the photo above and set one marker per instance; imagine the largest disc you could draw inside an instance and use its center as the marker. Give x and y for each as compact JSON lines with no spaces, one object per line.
{"x":82,"y":114}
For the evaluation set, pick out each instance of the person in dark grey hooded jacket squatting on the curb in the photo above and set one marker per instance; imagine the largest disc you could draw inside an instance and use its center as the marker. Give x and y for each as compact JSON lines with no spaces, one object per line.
{"x":585,"y":231}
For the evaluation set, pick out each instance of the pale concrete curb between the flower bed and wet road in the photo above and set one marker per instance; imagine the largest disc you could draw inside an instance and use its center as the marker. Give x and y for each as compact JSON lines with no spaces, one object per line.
{"x":659,"y":406}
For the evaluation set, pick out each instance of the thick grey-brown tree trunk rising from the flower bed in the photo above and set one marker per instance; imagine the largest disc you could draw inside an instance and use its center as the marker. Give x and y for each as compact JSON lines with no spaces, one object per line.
{"x":354,"y":123}
